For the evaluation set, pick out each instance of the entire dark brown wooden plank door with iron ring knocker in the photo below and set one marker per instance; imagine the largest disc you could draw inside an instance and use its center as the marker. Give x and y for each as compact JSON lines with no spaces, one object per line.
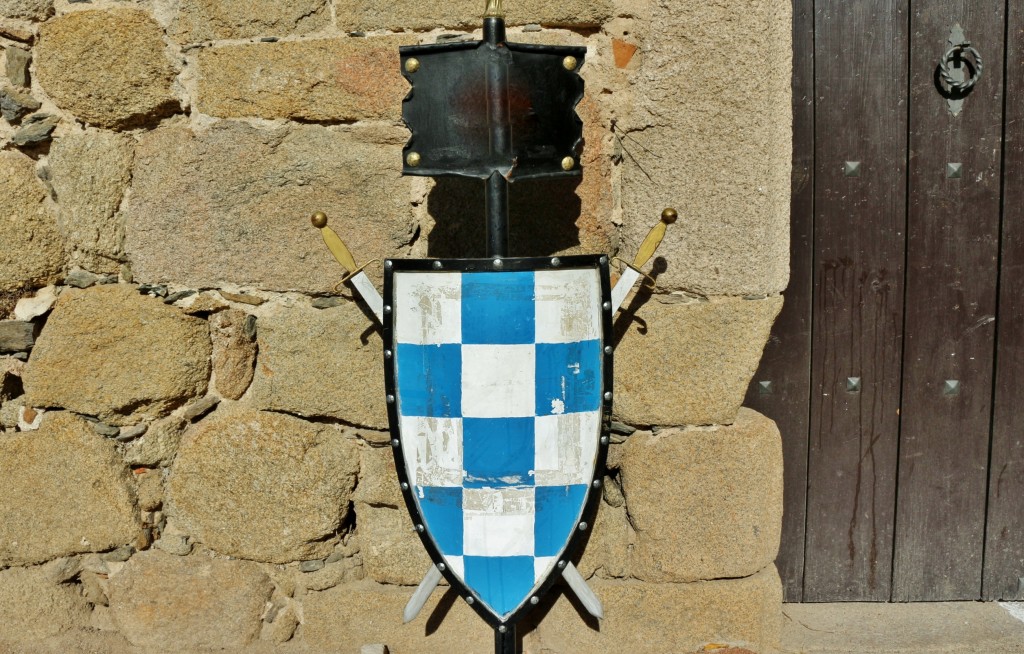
{"x":898,"y":364}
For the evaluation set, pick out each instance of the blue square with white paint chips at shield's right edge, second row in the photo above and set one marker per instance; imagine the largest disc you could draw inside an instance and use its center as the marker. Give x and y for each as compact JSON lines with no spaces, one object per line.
{"x":569,"y":377}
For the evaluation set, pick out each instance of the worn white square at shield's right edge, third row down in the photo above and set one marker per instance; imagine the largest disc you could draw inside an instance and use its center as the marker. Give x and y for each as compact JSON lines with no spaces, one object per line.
{"x":566,"y":450}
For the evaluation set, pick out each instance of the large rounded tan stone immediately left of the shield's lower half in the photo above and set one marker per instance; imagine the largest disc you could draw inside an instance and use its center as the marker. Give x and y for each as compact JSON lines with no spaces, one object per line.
{"x":305,"y":475}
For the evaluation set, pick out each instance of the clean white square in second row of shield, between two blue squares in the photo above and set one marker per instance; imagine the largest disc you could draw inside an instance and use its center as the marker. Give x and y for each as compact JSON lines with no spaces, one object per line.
{"x":498,"y":381}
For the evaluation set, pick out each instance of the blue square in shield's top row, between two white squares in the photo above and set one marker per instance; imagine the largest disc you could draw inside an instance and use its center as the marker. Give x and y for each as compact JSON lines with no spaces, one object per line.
{"x":498,"y":309}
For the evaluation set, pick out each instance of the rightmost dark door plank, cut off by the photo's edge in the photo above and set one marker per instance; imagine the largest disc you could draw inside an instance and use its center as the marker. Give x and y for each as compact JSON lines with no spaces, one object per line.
{"x":1004,"y":576}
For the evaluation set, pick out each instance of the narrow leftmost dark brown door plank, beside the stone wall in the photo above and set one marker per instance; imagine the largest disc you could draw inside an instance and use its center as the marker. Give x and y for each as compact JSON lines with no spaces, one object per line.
{"x":782,"y":386}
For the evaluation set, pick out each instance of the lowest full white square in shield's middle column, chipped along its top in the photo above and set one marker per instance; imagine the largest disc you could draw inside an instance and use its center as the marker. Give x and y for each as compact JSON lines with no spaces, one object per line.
{"x":498,"y":522}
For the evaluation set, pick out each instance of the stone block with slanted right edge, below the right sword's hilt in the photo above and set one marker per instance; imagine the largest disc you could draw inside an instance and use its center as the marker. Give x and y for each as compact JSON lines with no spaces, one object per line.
{"x":688,"y":363}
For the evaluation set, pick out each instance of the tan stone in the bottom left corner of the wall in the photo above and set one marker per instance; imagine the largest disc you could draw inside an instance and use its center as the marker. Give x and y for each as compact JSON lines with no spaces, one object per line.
{"x":38,"y":606}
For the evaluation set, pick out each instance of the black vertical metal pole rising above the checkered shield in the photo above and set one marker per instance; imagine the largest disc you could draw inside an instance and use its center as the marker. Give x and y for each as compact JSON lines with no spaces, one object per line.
{"x":500,"y":124}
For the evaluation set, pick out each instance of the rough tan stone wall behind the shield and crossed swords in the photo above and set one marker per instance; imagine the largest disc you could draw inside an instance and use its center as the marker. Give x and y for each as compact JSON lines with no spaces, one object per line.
{"x":193,"y":433}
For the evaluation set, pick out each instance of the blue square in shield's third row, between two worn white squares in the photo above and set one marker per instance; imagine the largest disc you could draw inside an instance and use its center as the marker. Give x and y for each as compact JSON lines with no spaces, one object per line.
{"x":498,"y":452}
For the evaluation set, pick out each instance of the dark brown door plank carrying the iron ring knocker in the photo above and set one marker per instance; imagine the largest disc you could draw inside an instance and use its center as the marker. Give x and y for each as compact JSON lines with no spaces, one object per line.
{"x":953,"y":254}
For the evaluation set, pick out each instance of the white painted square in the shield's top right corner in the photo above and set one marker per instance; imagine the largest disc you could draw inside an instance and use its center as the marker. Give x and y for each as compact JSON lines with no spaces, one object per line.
{"x":569,"y":306}
